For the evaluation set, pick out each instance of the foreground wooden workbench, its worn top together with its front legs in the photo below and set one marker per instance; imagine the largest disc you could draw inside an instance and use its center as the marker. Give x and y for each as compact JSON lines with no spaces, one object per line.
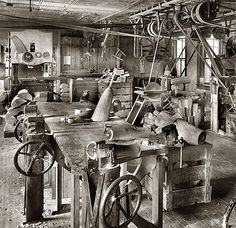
{"x":71,"y":140}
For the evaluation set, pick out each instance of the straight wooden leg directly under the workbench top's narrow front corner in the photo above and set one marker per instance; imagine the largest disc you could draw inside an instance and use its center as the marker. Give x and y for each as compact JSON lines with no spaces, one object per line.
{"x":75,"y":200}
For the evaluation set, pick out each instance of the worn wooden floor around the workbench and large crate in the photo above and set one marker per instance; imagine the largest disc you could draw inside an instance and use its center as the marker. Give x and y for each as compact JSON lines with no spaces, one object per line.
{"x":197,"y":216}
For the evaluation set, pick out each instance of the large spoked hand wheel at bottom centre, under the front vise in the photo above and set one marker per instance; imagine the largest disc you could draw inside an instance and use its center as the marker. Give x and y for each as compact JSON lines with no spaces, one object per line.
{"x":112,"y":201}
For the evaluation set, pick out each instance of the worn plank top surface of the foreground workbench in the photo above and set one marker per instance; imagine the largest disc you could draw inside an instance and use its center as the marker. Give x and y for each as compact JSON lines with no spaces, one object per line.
{"x":71,"y":138}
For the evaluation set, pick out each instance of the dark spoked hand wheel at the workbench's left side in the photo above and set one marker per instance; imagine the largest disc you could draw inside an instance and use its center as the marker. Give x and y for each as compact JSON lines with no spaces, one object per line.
{"x":34,"y":158}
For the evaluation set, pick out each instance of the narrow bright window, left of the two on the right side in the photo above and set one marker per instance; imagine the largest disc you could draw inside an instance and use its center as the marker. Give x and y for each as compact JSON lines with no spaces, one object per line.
{"x":180,"y":53}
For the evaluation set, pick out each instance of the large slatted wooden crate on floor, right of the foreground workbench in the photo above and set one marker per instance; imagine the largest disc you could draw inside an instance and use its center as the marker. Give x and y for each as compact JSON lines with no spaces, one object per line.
{"x":188,"y":185}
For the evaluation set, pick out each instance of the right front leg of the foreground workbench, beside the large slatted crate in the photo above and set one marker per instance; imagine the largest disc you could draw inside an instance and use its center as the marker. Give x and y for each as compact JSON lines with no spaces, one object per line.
{"x":157,"y":192}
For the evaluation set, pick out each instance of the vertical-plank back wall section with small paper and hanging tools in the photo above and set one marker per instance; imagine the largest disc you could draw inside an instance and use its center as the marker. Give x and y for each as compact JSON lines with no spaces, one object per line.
{"x":85,"y":53}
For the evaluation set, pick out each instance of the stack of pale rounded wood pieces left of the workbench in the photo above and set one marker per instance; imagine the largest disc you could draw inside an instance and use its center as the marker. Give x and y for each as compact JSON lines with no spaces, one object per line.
{"x":18,"y":104}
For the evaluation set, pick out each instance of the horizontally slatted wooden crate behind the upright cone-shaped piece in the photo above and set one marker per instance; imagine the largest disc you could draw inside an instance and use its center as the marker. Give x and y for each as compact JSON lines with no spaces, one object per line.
{"x":122,"y":91}
